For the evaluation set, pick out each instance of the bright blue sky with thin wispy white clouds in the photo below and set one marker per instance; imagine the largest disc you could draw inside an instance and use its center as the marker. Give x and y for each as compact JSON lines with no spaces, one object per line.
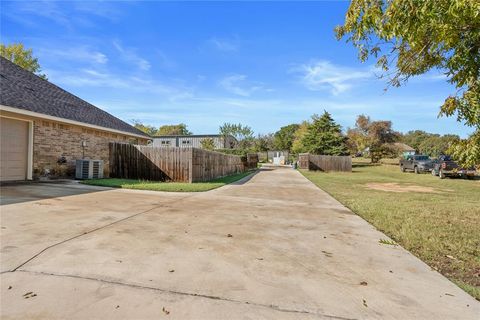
{"x":264,"y":64}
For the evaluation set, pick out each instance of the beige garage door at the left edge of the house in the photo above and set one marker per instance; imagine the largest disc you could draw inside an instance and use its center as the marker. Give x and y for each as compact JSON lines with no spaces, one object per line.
{"x":13,"y":149}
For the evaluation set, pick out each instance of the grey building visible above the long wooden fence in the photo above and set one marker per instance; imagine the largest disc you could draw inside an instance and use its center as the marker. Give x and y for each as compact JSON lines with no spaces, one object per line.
{"x":220,"y":141}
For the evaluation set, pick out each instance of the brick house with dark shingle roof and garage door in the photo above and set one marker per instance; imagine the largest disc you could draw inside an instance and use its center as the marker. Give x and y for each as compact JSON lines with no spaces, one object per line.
{"x":44,"y":128}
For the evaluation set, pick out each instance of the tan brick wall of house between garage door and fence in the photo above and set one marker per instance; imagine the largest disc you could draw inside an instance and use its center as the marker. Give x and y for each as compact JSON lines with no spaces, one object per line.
{"x":53,"y":140}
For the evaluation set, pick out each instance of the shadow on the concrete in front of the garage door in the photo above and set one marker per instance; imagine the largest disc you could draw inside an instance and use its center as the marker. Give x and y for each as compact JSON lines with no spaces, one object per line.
{"x":18,"y":192}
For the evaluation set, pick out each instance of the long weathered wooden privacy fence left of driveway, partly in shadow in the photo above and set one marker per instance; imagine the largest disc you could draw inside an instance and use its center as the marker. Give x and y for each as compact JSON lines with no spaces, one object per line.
{"x":170,"y":163}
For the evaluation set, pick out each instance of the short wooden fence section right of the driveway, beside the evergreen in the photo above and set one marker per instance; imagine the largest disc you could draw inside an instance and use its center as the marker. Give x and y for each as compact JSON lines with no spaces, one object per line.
{"x":324,"y":163}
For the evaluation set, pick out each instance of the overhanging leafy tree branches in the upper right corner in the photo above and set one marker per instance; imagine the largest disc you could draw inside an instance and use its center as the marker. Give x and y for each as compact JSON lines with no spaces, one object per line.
{"x":417,"y":36}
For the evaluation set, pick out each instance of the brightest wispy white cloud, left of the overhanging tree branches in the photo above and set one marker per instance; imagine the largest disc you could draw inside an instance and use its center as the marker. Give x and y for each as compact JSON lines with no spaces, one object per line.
{"x":323,"y":75}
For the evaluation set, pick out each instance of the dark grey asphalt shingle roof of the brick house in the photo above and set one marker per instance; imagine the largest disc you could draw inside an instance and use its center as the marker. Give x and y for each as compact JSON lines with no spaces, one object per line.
{"x":22,"y":89}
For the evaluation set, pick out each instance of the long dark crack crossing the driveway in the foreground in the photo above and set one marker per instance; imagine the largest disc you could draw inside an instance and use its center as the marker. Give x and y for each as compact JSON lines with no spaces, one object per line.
{"x":189,"y":294}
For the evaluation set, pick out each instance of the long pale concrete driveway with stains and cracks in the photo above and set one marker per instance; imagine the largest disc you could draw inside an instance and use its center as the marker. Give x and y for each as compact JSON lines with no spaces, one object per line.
{"x":275,"y":247}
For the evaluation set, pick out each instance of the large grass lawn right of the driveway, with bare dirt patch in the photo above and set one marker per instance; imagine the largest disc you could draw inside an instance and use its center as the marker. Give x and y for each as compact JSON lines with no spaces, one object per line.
{"x":441,"y":227}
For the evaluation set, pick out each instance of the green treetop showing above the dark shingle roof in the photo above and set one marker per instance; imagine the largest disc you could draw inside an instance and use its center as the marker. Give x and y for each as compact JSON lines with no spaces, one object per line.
{"x":22,"y":57}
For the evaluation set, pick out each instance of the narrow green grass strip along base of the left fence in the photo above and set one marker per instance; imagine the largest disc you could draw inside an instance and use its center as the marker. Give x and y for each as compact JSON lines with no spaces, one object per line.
{"x":167,"y":186}
